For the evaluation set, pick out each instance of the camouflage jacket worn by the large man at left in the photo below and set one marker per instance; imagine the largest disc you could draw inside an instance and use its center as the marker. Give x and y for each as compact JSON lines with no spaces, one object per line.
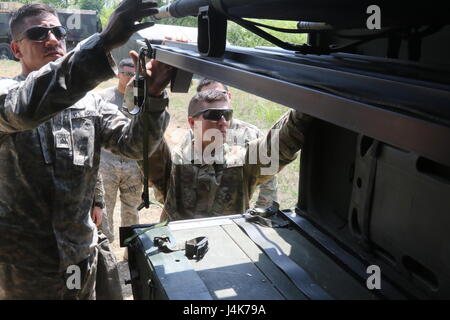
{"x":51,"y":134}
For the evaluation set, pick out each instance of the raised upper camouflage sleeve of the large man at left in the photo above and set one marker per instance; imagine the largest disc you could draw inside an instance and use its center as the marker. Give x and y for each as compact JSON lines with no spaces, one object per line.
{"x":57,"y":85}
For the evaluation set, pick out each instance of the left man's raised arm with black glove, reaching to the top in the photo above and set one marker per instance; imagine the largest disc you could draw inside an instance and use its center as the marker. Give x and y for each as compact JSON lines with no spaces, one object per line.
{"x":57,"y":85}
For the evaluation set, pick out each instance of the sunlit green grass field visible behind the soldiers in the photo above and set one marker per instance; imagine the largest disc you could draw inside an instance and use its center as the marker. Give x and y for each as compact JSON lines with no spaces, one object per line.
{"x":247,"y":107}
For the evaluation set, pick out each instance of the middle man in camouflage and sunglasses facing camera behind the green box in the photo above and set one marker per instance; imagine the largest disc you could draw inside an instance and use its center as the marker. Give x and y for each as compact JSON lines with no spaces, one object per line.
{"x":194,"y":187}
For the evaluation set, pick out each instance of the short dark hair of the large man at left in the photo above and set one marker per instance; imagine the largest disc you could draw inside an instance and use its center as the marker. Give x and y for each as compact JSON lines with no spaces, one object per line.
{"x":16,"y":22}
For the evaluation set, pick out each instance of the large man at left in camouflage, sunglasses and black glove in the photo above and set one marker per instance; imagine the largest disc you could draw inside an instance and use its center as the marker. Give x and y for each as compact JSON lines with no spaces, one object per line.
{"x":51,"y":134}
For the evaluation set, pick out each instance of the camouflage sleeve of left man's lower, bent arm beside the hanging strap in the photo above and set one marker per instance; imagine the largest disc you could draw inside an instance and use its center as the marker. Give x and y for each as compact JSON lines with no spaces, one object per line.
{"x":123,"y":136}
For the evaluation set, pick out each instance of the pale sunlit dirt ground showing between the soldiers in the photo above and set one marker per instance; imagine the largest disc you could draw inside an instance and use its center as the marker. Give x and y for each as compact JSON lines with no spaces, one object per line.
{"x":174,"y":134}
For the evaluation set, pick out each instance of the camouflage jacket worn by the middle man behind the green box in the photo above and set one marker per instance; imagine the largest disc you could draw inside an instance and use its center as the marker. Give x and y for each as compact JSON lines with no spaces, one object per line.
{"x":191,"y":190}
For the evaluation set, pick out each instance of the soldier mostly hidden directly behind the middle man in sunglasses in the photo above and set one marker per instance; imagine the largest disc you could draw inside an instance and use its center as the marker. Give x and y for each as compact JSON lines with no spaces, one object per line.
{"x":243,"y":132}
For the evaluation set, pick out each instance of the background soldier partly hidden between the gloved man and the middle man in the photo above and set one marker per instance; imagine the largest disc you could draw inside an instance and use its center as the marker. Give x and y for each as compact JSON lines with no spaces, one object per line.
{"x":120,"y":173}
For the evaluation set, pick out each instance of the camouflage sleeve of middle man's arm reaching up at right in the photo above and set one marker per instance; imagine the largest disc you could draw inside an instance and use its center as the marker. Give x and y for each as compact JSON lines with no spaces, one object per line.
{"x":283,"y":142}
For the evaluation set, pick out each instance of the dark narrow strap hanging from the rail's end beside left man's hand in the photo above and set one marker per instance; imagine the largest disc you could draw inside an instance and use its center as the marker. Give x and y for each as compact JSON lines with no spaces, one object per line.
{"x":140,"y":97}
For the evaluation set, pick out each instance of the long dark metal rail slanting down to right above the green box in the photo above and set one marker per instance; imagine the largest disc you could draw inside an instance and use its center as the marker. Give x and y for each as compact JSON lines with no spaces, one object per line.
{"x":288,"y":82}
